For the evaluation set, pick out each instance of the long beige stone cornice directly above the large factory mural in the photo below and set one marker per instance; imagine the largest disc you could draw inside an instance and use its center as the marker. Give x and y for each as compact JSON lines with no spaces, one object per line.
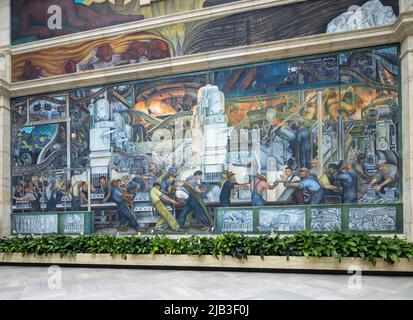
{"x":303,"y":46}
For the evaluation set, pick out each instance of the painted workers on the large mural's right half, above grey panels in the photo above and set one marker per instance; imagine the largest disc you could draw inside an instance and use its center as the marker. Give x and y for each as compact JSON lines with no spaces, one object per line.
{"x":338,"y":183}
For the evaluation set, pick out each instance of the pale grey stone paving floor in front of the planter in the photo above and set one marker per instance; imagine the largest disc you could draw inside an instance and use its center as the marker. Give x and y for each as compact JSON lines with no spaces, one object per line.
{"x":27,"y":283}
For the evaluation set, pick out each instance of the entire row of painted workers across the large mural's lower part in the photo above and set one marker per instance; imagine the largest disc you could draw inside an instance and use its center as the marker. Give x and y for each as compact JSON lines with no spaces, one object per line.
{"x":339,"y":180}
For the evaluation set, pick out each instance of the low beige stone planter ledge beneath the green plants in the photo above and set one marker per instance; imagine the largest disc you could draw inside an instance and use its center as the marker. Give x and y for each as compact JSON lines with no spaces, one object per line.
{"x":253,"y":262}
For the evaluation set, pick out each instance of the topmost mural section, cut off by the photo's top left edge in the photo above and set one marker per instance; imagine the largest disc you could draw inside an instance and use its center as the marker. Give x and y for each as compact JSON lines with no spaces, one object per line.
{"x":30,"y":17}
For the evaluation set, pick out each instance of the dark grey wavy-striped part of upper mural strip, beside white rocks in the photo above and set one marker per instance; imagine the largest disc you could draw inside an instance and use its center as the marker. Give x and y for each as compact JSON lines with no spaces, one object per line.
{"x":278,"y":23}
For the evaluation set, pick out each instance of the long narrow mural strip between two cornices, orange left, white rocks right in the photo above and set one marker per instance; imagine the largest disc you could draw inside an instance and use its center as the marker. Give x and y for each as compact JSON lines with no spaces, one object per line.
{"x":181,"y":39}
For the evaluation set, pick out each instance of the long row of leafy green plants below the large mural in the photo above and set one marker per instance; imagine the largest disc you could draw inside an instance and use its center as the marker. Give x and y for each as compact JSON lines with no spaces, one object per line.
{"x":307,"y":244}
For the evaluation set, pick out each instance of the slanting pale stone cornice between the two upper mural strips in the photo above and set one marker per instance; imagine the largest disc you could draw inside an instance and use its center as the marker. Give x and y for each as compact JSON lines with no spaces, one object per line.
{"x":152,"y":23}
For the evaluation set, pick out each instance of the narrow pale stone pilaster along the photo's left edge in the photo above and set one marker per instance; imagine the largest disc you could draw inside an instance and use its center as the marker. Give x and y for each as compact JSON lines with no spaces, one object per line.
{"x":5,"y":71}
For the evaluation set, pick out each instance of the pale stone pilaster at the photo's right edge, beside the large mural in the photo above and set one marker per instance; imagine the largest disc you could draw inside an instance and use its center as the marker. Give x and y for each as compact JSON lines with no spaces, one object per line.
{"x":407,"y":125}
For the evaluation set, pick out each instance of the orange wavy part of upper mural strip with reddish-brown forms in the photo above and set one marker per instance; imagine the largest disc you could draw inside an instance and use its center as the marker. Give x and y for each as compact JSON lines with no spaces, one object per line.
{"x":92,"y":55}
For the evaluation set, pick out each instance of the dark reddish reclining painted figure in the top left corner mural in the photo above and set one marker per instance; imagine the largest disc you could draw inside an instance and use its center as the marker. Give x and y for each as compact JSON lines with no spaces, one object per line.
{"x":75,"y":17}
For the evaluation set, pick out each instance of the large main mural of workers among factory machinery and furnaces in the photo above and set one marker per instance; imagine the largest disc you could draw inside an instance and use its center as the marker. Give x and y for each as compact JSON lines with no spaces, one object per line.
{"x":160,"y":155}
